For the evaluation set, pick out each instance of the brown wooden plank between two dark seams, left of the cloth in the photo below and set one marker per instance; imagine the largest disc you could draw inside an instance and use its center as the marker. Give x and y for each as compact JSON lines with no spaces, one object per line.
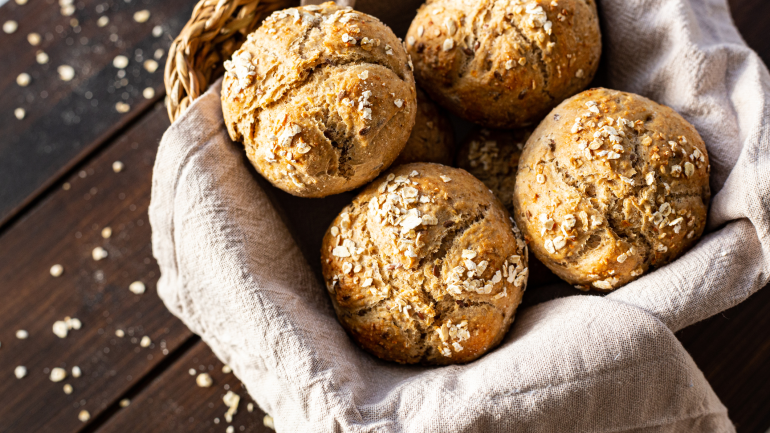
{"x":64,"y":229}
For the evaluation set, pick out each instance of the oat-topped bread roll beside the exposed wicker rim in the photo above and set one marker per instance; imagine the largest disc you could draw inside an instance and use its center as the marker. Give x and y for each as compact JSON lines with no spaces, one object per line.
{"x":322,"y":97}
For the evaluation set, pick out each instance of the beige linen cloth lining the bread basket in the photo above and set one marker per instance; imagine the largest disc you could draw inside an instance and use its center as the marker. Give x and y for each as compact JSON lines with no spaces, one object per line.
{"x":232,"y":271}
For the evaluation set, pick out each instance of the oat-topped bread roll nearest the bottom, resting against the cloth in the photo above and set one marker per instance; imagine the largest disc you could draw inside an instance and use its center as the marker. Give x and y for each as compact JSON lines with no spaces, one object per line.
{"x":425,"y":266}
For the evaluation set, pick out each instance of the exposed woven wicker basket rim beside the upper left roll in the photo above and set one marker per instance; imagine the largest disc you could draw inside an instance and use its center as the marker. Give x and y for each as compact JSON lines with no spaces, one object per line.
{"x":215,"y":30}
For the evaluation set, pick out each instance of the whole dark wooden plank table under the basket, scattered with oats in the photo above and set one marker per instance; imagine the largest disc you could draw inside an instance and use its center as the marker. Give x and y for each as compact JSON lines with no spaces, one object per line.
{"x":59,"y":191}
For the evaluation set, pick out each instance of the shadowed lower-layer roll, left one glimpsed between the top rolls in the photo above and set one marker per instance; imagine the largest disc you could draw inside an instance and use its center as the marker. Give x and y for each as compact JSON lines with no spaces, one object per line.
{"x":432,"y":138}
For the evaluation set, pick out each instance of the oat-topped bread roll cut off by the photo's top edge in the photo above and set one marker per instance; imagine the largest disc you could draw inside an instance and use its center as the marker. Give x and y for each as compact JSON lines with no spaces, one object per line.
{"x":504,"y":63}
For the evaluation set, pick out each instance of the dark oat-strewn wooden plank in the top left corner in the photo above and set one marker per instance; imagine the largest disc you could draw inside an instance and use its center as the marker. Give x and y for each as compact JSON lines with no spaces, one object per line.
{"x":67,"y":120}
